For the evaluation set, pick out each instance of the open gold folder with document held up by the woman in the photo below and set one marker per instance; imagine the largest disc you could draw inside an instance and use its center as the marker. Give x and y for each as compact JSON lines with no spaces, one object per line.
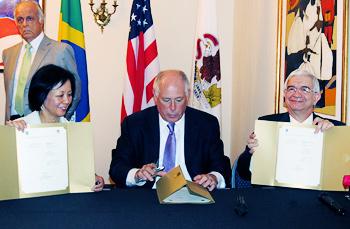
{"x":46,"y":160}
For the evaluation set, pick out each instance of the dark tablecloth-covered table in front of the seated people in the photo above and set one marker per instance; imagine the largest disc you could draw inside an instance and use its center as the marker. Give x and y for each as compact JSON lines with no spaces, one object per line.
{"x":139,"y":208}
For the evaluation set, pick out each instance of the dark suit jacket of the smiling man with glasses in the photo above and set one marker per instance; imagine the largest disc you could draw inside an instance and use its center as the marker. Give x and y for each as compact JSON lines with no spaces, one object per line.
{"x":244,"y":159}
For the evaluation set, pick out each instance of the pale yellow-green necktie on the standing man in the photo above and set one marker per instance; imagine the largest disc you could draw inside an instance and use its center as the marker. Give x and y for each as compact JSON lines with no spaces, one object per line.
{"x":22,"y":79}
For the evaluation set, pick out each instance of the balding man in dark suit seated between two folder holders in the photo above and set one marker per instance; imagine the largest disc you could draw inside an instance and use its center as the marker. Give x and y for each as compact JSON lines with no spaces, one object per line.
{"x":169,"y":134}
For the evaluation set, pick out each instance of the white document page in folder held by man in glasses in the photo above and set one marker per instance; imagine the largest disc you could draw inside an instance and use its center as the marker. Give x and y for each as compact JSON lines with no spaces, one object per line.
{"x":299,"y":156}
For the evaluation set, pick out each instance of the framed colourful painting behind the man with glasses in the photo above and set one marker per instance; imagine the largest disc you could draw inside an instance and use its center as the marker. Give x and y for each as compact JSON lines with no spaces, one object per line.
{"x":312,"y":35}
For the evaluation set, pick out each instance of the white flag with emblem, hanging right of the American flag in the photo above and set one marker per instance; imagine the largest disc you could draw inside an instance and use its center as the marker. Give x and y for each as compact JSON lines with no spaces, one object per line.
{"x":206,"y":71}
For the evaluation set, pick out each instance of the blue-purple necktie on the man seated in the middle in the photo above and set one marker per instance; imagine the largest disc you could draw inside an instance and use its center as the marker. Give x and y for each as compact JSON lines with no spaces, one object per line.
{"x":170,"y":149}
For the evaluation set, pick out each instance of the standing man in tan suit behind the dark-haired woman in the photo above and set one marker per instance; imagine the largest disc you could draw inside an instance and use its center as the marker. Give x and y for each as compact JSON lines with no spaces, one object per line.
{"x":29,"y":20}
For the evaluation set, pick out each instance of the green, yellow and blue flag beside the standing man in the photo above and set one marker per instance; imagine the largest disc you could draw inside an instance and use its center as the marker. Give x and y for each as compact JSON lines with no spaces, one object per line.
{"x":71,"y":32}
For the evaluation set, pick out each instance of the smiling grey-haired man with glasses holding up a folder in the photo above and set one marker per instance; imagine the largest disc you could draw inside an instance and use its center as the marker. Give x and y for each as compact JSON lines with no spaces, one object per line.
{"x":301,"y":93}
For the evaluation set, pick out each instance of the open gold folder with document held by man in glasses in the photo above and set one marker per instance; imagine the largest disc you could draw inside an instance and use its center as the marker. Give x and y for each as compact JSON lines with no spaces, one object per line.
{"x":292,"y":155}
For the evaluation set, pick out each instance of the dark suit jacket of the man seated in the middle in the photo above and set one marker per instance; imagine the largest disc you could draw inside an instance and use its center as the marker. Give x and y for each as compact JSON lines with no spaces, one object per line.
{"x":139,"y":144}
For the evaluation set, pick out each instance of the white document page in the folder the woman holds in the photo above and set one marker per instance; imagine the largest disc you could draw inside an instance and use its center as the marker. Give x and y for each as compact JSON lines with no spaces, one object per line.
{"x":42,"y":159}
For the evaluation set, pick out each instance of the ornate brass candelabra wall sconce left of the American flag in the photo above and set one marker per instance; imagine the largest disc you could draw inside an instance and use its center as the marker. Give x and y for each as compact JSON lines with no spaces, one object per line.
{"x":101,"y":15}
